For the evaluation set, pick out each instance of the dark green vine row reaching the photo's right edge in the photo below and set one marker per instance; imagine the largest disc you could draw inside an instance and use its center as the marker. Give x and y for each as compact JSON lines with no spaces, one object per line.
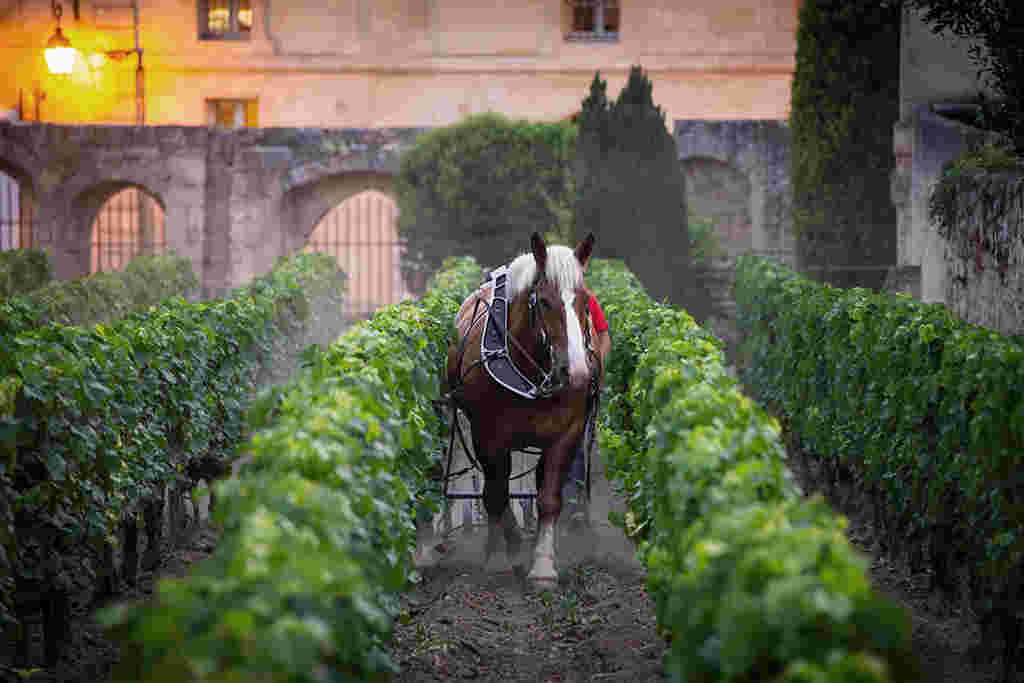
{"x":921,"y":410}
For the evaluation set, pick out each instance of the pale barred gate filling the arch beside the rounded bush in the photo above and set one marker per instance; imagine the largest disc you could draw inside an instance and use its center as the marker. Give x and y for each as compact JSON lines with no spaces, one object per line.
{"x":361,"y":234}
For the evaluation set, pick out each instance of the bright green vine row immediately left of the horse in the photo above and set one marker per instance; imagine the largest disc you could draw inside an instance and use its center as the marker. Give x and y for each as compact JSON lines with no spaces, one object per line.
{"x":316,"y":533}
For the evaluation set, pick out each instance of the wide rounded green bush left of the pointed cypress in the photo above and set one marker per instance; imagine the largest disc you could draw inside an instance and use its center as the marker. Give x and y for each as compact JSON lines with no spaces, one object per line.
{"x":477,"y":187}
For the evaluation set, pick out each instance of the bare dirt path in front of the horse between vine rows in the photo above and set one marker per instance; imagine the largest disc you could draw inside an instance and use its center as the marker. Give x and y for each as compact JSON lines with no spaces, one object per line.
{"x":599,"y":625}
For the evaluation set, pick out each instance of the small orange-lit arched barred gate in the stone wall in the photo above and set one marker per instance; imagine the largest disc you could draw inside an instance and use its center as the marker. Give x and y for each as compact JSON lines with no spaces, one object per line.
{"x":129,"y":223}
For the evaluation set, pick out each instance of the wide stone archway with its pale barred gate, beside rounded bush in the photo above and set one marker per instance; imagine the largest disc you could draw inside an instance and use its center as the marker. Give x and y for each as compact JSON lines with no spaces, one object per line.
{"x":353,"y":218}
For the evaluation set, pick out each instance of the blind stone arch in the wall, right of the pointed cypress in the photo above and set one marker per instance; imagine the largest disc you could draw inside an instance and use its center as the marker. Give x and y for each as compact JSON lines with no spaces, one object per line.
{"x":720,"y":193}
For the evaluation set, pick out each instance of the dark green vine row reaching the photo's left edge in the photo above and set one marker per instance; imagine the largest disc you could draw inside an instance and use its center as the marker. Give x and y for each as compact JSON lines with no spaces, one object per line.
{"x":97,"y":421}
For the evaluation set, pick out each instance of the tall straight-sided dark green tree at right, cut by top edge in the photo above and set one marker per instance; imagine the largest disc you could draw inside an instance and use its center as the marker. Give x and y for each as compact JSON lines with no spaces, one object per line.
{"x":844,"y":104}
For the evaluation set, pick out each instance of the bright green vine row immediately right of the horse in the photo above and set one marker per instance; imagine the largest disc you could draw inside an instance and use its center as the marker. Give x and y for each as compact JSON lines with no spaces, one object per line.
{"x":751,"y":581}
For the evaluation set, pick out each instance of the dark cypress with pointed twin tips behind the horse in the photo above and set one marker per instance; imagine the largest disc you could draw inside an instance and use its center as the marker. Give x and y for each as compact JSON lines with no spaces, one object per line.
{"x":630,"y":187}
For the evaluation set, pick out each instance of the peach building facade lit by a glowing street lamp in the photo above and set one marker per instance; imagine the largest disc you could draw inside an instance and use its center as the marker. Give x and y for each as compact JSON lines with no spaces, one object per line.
{"x":394,"y":63}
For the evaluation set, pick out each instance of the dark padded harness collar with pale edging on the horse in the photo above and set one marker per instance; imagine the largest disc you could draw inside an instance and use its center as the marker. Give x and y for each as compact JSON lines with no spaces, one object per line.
{"x":495,"y":345}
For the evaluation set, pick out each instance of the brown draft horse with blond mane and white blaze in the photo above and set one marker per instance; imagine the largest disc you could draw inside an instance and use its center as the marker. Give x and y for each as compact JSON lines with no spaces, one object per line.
{"x":547,"y":319}
